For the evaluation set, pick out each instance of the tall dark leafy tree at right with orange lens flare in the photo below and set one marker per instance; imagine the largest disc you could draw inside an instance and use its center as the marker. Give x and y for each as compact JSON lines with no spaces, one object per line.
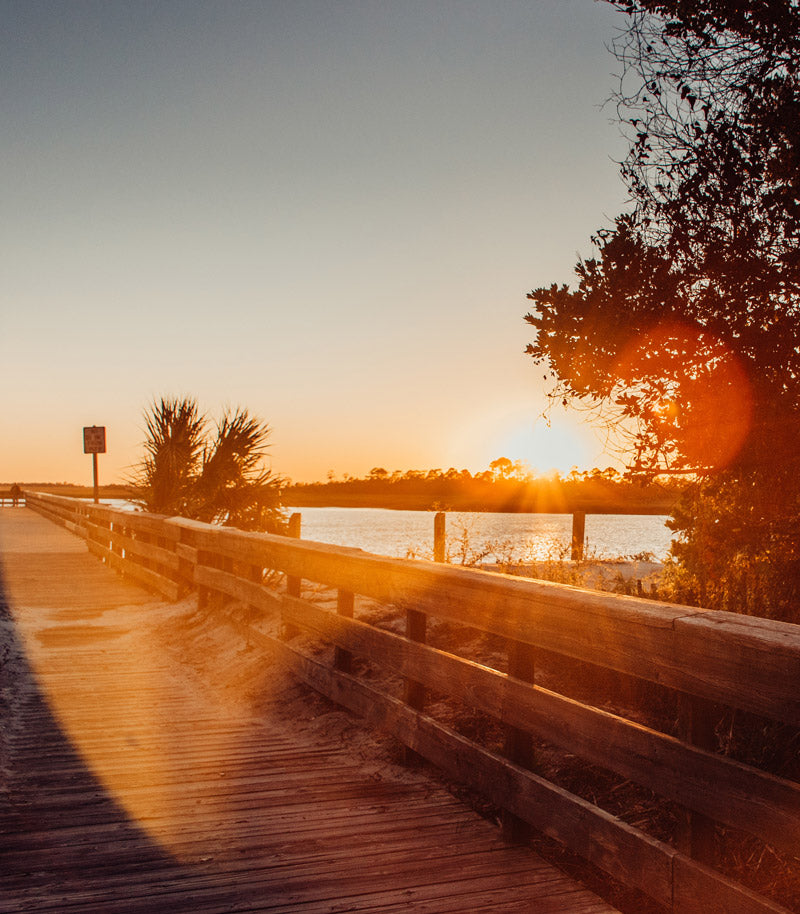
{"x":685,"y":323}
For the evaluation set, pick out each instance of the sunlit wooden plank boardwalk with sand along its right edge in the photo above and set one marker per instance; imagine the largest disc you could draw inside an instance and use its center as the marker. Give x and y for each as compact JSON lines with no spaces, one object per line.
{"x":144,"y":771}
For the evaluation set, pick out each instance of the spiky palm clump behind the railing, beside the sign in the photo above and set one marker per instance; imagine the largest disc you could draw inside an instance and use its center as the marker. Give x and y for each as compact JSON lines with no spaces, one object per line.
{"x":214,"y":474}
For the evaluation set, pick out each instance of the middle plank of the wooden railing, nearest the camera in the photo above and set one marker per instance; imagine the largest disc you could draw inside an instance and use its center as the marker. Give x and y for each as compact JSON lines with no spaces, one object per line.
{"x":736,"y":794}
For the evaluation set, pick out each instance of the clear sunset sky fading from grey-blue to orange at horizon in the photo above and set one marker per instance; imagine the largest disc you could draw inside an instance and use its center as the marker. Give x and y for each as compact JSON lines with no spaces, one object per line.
{"x":329,"y":213}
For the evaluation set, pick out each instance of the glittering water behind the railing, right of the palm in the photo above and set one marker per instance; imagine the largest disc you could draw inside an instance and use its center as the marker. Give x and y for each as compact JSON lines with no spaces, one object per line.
{"x":504,"y":537}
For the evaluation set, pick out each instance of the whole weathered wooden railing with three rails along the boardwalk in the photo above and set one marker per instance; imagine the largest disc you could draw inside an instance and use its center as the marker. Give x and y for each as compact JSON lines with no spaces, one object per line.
{"x":707,"y":667}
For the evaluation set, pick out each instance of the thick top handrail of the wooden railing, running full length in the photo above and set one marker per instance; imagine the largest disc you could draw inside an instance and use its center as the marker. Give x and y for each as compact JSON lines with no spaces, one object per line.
{"x":743,"y":661}
